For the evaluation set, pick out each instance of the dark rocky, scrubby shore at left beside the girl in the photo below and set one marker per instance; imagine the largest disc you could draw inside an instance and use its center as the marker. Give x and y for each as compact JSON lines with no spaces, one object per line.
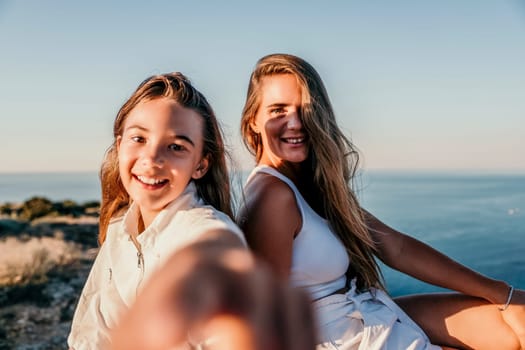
{"x":36,"y":314}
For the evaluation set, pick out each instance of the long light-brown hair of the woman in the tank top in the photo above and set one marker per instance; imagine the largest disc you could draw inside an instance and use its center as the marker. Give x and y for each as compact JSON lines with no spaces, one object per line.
{"x":332,"y":162}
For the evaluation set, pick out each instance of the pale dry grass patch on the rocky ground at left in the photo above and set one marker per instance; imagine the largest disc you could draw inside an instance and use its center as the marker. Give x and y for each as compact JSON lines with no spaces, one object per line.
{"x":28,"y":261}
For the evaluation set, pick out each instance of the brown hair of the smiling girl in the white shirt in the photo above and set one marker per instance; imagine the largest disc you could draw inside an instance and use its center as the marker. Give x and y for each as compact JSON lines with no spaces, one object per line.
{"x":213,"y":187}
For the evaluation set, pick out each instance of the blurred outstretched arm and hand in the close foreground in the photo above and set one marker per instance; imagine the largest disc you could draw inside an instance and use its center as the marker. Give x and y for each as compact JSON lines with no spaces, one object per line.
{"x":219,"y":296}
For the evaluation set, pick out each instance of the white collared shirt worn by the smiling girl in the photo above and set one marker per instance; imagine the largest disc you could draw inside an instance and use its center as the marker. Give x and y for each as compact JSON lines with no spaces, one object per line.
{"x":118,"y":272}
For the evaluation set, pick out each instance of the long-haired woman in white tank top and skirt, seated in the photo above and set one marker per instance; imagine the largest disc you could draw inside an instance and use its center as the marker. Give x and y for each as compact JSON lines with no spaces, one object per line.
{"x":302,"y":216}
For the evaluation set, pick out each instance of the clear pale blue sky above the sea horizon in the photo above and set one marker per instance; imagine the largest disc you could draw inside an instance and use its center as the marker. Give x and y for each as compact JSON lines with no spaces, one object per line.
{"x":416,"y":84}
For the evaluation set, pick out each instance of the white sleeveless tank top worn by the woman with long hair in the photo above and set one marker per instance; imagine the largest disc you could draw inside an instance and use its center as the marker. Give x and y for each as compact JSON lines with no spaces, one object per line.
{"x":319,"y":259}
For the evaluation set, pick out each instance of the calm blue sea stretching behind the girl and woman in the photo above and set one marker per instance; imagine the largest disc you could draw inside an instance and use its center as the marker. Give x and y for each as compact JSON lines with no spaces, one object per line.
{"x":476,"y":219}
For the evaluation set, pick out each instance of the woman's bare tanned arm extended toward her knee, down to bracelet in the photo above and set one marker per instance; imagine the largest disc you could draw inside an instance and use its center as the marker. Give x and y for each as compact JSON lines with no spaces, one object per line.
{"x":421,"y":261}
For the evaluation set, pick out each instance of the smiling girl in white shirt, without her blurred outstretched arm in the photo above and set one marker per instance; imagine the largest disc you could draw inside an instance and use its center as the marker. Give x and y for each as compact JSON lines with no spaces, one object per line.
{"x":164,"y":185}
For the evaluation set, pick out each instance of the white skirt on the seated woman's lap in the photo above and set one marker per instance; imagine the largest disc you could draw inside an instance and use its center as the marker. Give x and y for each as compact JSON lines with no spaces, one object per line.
{"x":369,"y":320}
